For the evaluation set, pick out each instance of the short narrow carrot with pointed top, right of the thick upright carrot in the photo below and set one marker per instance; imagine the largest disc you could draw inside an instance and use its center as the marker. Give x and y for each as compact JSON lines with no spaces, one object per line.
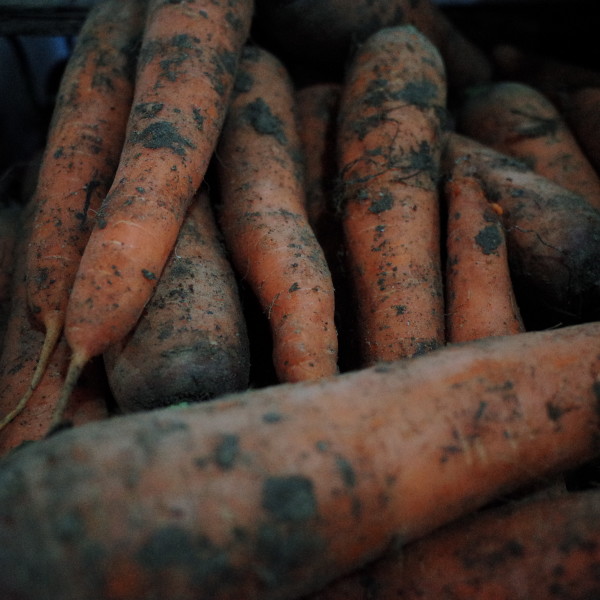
{"x":480,"y":300}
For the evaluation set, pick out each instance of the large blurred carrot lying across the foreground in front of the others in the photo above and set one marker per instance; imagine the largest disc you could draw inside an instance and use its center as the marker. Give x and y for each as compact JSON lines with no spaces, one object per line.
{"x":274,"y":493}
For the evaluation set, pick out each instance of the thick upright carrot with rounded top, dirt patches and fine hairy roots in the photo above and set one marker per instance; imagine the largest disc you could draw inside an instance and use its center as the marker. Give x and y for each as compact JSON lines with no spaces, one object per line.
{"x":389,"y":144}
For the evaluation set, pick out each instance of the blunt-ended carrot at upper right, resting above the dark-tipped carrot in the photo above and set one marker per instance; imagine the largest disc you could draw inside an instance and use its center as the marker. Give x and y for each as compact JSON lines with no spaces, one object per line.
{"x":516,"y":119}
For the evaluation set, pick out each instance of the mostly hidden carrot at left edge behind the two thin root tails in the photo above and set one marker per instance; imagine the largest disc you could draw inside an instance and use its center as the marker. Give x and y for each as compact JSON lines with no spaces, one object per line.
{"x":26,"y":413}
